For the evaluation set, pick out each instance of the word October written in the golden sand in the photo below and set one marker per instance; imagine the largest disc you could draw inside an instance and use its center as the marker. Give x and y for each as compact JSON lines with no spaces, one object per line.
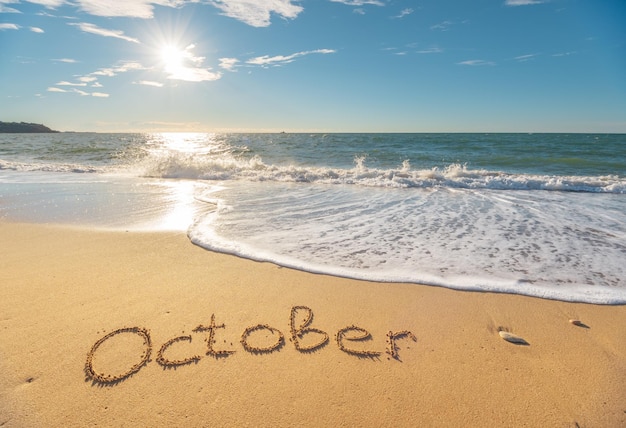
{"x":263,"y":332}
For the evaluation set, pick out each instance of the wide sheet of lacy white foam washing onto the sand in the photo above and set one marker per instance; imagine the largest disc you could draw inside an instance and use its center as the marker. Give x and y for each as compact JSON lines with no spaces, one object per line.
{"x":535,"y":243}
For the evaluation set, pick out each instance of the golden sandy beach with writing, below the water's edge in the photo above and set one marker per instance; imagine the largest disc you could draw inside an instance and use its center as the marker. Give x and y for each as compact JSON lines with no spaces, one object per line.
{"x":145,"y":329}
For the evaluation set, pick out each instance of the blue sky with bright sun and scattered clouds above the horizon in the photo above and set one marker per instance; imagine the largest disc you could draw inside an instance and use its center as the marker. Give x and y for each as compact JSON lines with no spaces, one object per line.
{"x":315,"y":65}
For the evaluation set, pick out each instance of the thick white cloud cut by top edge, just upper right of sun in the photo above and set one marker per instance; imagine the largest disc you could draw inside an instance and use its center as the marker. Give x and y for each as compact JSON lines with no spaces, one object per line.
{"x":257,"y":13}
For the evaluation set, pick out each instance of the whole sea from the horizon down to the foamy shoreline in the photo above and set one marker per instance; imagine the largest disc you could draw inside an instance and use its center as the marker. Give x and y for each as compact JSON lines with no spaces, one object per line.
{"x":535,"y":214}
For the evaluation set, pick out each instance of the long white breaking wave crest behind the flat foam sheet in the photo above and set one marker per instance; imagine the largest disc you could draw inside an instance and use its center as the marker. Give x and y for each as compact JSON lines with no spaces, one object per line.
{"x":452,"y":176}
